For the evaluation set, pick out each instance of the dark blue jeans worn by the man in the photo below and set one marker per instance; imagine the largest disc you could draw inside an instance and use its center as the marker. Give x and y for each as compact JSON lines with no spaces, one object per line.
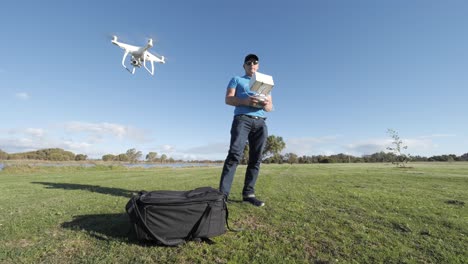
{"x":244,"y":129}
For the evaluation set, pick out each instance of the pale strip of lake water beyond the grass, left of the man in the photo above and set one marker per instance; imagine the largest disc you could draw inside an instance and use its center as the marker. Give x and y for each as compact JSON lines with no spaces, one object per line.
{"x":138,"y":165}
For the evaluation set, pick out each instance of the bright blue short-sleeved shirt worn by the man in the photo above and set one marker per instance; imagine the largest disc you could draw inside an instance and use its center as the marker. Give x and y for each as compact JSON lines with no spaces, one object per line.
{"x":241,"y":84}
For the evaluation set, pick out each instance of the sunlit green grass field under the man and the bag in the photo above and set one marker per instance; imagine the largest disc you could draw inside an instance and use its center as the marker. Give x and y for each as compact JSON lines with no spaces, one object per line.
{"x":337,"y":213}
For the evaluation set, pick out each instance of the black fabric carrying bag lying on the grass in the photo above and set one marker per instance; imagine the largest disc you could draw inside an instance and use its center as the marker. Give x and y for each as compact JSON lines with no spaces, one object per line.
{"x":173,"y":217}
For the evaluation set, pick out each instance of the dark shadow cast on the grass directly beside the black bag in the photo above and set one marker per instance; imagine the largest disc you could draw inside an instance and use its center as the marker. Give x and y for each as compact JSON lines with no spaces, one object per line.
{"x":104,"y":227}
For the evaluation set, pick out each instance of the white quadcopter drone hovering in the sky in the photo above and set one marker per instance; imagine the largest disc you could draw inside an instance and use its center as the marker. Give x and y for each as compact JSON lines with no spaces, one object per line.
{"x":140,"y":55}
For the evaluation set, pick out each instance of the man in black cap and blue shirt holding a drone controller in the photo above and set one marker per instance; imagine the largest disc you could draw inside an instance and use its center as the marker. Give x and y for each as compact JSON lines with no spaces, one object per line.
{"x":248,"y":125}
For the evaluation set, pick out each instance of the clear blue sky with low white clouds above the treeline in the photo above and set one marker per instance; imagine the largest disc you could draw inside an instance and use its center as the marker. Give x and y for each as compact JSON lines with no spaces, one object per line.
{"x":344,"y":71}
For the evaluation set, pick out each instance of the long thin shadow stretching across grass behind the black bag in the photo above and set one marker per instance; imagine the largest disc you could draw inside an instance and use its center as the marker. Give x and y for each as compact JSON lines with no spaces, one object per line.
{"x":91,"y":188}
